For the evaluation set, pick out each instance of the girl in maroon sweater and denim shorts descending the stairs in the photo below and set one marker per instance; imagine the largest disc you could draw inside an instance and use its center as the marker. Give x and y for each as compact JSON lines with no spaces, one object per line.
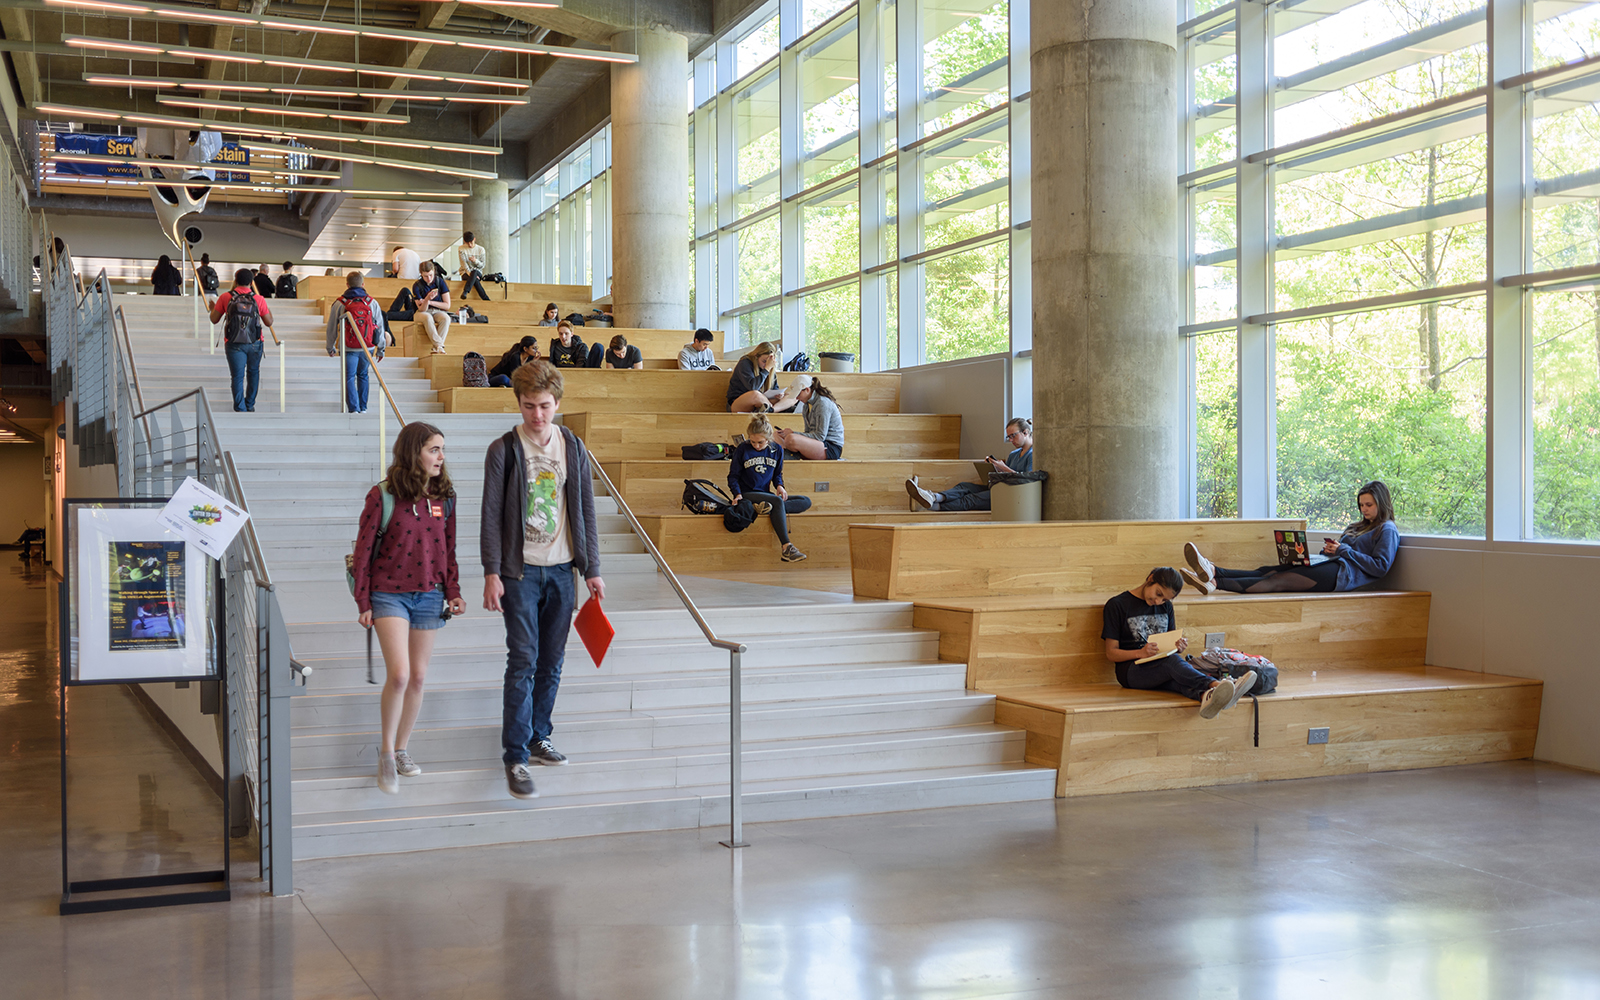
{"x":404,"y":588}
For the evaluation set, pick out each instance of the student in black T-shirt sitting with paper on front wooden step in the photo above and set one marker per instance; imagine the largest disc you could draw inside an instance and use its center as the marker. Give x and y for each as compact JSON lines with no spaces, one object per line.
{"x":1132,"y":618}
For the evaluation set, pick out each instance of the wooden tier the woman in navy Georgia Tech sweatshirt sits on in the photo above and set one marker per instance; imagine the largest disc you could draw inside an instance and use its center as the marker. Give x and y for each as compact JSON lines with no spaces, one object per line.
{"x":700,"y":543}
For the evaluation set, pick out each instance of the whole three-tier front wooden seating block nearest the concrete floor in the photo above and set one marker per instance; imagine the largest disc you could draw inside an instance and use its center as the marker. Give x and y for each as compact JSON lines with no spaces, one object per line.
{"x":1026,"y":618}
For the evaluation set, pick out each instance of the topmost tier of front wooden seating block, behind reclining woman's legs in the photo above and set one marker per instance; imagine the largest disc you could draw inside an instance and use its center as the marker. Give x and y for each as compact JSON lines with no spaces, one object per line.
{"x":914,"y":562}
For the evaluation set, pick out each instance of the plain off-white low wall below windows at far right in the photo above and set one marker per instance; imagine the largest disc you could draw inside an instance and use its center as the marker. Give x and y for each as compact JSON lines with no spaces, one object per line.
{"x":1524,"y":610}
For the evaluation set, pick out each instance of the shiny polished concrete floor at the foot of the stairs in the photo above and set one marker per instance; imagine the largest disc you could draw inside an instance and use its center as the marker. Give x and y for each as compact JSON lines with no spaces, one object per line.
{"x":1463,"y":884}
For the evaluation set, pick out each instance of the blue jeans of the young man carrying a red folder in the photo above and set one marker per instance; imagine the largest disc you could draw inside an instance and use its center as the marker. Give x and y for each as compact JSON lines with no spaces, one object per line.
{"x":538,"y":617}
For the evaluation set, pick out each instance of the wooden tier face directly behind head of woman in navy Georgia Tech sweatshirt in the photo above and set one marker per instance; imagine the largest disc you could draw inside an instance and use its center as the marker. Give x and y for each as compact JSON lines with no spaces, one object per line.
{"x":618,"y":438}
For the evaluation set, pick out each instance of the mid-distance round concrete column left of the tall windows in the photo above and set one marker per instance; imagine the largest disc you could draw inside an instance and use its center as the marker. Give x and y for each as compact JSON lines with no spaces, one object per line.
{"x":650,"y":182}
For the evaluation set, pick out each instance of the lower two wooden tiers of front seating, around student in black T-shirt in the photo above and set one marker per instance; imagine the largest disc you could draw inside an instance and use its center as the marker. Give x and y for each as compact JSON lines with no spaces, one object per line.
{"x":1348,"y":662}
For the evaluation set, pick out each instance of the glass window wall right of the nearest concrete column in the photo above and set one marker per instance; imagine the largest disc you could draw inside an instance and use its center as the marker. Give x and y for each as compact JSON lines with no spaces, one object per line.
{"x":1361,"y":236}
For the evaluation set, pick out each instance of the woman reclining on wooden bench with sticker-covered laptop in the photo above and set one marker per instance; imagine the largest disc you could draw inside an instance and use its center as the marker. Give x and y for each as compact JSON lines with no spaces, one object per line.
{"x":1362,"y":554}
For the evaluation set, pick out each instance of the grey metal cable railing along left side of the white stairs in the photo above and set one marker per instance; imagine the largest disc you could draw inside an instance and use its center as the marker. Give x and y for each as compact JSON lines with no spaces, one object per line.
{"x":154,"y":450}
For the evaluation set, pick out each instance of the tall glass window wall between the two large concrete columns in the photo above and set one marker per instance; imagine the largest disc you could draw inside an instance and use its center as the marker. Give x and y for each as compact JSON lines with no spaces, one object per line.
{"x":815,"y":126}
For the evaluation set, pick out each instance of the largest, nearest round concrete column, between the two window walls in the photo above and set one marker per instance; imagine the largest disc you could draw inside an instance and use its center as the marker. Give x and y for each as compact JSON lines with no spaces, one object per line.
{"x":1106,"y":212}
